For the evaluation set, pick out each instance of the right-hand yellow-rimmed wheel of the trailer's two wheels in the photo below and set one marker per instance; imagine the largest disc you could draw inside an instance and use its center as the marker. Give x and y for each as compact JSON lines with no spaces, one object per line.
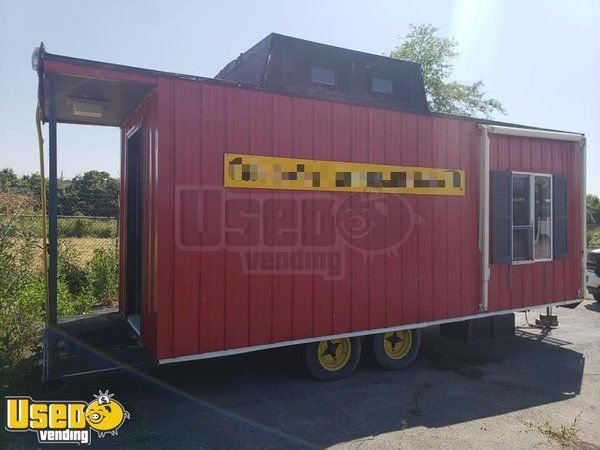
{"x":396,"y":349}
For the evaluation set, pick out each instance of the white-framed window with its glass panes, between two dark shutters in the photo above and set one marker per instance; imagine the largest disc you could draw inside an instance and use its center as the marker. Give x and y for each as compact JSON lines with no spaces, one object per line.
{"x":531,"y":217}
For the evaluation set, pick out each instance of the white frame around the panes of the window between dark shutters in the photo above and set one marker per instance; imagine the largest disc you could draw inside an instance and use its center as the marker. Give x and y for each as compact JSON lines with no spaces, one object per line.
{"x":532,"y":176}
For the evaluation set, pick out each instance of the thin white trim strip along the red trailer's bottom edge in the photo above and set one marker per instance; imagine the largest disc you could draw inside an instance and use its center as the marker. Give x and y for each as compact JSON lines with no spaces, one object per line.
{"x":412,"y":326}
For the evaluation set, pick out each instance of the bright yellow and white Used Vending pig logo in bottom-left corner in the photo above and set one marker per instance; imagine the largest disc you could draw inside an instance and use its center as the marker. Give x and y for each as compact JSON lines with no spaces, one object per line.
{"x":66,"y":422}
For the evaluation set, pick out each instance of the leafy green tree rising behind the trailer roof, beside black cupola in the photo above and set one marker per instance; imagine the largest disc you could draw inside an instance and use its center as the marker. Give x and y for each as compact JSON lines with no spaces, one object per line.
{"x":436,"y":55}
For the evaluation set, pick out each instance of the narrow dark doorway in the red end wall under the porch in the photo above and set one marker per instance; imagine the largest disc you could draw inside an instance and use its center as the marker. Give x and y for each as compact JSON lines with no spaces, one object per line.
{"x":134,"y":227}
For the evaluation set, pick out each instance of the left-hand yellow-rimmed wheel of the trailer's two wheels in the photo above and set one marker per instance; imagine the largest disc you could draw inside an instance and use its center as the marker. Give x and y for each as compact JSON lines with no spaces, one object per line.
{"x":333,"y":359}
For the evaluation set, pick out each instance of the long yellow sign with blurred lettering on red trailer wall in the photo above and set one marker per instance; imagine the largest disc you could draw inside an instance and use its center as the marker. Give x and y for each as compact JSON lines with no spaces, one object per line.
{"x":269,"y":172}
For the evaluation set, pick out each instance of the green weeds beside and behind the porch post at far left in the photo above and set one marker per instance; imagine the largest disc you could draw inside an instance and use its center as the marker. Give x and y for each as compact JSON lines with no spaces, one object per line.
{"x":81,"y":285}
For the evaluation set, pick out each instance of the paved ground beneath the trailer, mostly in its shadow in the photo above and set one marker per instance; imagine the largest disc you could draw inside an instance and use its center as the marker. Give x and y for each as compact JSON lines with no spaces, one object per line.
{"x":536,"y":389}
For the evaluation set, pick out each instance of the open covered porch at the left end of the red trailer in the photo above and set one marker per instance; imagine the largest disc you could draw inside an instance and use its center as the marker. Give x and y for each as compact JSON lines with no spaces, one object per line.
{"x":93,"y":208}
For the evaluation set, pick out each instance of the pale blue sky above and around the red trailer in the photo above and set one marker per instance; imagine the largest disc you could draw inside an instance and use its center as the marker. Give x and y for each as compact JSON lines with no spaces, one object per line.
{"x":541,"y":59}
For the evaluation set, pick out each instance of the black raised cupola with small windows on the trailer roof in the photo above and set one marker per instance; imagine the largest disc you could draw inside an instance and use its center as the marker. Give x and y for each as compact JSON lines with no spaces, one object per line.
{"x":298,"y":67}
